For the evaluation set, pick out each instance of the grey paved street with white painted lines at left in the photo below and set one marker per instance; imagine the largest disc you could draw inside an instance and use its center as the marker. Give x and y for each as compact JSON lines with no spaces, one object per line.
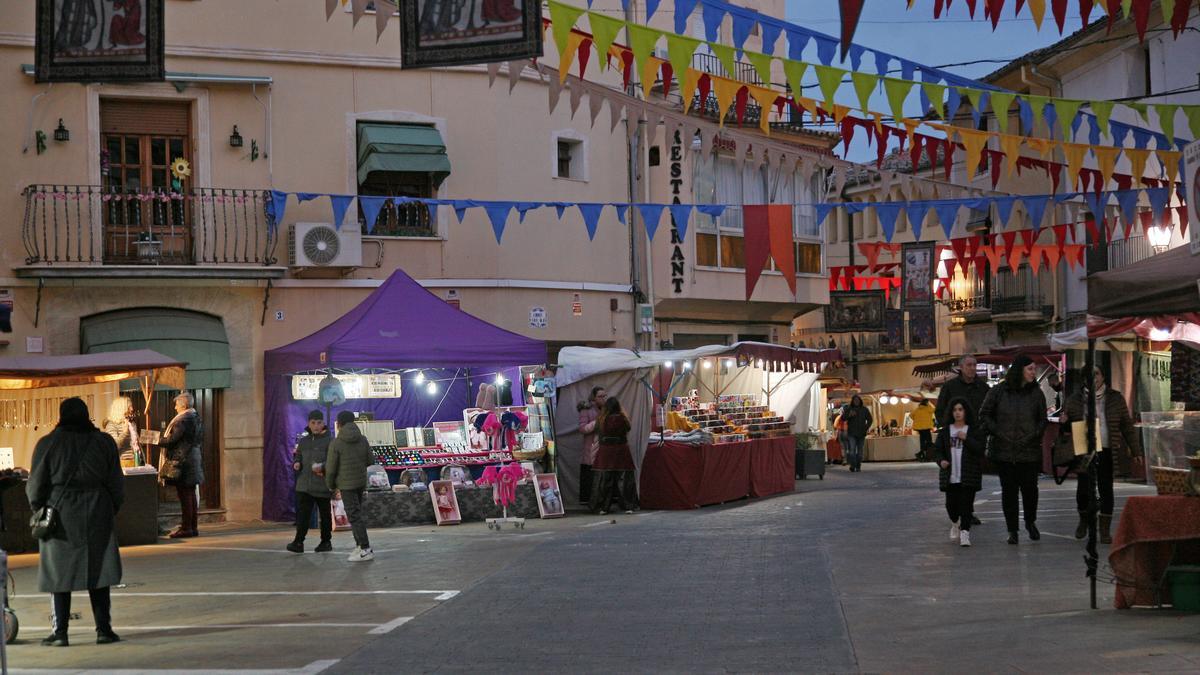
{"x":853,"y":574}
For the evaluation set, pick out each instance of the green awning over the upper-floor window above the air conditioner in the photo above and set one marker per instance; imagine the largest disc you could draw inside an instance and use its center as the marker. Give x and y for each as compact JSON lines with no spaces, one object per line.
{"x":403,"y":148}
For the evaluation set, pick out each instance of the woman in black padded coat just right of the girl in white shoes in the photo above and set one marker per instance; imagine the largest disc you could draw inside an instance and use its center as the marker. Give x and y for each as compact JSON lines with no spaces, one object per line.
{"x":1015,"y":413}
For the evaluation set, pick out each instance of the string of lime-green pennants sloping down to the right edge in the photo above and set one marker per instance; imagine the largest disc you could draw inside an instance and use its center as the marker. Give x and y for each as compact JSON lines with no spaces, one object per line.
{"x":937,"y":98}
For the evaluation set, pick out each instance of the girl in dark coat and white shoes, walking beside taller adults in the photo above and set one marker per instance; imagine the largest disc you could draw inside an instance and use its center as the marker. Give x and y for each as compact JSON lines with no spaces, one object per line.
{"x":959,"y":453}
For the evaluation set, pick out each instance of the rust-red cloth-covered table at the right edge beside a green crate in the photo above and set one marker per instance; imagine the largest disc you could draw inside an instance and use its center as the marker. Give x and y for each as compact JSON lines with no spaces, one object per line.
{"x":1155,"y":533}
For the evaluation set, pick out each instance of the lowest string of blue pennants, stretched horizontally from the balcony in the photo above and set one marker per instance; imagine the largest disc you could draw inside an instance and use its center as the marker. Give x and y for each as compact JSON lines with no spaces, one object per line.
{"x":946,"y":211}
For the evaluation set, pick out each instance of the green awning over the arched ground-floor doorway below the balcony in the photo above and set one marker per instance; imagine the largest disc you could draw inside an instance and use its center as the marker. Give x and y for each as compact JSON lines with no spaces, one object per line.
{"x":197,"y":339}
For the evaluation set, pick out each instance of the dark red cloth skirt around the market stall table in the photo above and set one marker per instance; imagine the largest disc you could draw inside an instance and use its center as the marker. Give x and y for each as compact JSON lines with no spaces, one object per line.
{"x":681,"y":476}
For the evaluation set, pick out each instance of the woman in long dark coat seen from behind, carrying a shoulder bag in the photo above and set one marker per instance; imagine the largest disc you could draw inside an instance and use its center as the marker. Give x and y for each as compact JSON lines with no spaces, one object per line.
{"x":79,"y":471}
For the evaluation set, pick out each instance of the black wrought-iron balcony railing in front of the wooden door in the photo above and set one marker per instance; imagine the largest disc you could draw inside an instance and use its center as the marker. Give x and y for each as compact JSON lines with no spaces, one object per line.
{"x":94,"y":225}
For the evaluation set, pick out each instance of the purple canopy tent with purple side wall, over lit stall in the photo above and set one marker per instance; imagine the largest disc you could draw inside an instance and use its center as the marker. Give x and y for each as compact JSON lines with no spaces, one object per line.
{"x":400,"y":326}
